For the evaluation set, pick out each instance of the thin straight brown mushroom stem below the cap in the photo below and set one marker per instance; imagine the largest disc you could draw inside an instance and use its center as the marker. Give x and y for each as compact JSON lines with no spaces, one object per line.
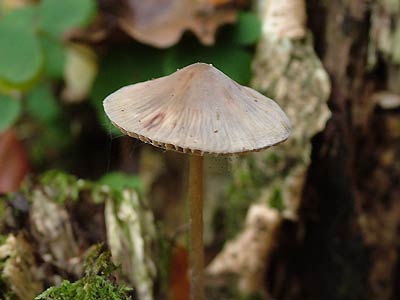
{"x":196,"y":227}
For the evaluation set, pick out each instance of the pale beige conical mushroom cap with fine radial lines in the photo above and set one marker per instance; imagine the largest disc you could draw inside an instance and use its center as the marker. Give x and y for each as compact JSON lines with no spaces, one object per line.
{"x":198,"y":110}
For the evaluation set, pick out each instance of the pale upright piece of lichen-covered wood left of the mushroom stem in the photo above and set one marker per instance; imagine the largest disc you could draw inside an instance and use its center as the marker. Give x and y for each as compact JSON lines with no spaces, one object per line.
{"x":131,"y":234}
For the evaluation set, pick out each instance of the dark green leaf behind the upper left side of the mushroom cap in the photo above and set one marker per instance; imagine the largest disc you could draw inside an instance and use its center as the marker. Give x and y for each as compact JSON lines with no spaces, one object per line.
{"x":122,"y":66}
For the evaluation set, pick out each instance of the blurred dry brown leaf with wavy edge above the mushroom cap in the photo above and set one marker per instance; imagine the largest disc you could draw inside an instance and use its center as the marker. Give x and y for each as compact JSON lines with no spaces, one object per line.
{"x":162,"y":23}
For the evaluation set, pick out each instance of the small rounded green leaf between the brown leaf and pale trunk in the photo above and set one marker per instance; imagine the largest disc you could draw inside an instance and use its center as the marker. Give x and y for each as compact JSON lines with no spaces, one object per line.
{"x":247,"y":30}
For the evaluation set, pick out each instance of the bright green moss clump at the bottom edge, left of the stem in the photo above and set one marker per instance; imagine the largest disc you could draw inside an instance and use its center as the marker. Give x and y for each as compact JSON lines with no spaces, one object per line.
{"x":98,"y":282}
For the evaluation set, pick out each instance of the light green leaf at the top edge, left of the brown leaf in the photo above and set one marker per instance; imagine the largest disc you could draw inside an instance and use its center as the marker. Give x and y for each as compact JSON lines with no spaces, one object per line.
{"x":57,"y":16}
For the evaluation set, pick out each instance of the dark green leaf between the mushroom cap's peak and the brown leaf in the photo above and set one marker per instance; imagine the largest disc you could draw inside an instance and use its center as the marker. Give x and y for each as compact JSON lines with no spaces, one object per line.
{"x":227,"y":57}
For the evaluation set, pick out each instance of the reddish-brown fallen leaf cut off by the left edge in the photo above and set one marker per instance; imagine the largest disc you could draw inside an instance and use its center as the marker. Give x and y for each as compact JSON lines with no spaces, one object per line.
{"x":13,"y":162}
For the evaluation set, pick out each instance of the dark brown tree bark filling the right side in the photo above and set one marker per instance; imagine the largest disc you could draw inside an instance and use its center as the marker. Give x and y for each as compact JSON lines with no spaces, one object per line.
{"x":350,"y":211}
